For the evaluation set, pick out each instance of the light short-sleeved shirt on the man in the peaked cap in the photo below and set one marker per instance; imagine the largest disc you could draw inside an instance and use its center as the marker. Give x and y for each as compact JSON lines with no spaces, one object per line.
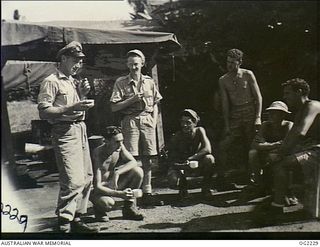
{"x":59,"y":90}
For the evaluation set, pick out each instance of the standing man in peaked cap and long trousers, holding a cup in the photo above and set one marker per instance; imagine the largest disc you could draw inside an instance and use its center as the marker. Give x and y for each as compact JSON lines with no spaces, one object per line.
{"x":62,"y":102}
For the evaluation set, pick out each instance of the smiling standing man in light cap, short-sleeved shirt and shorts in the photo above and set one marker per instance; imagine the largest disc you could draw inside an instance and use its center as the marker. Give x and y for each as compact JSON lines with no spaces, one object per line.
{"x":135,"y":96}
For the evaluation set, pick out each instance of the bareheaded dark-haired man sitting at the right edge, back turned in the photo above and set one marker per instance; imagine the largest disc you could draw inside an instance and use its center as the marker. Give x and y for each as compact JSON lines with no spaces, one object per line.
{"x":300,"y":150}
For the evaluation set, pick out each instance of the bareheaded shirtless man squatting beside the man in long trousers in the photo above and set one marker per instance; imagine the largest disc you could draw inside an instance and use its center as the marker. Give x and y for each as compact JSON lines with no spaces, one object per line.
{"x":116,"y":173}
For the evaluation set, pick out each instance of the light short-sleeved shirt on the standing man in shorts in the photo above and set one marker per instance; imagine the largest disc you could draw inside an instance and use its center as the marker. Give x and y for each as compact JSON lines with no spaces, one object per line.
{"x":125,"y":87}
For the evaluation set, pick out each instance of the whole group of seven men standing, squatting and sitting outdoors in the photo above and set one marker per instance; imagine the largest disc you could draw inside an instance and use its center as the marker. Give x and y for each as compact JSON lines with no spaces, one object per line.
{"x":114,"y":170}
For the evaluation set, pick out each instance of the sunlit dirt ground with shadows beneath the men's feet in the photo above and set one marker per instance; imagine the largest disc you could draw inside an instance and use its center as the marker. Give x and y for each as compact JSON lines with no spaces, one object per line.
{"x":215,"y":214}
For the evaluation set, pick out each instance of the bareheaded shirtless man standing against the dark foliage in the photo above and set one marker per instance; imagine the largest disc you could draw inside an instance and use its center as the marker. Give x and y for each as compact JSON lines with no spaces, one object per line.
{"x":241,"y":105}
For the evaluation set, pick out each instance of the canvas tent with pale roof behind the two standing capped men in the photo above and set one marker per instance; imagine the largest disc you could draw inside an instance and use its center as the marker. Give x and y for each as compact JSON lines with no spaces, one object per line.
{"x":28,"y":54}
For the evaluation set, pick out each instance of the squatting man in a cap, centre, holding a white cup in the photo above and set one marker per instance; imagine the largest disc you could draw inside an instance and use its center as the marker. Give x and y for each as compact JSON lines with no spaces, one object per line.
{"x":190,"y":144}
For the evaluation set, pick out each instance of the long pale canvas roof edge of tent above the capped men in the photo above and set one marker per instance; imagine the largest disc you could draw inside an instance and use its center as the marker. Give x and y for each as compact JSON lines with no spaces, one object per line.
{"x":16,"y":33}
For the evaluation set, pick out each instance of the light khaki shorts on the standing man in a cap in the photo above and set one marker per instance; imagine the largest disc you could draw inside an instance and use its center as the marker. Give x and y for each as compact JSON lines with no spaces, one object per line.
{"x":139,"y":135}
